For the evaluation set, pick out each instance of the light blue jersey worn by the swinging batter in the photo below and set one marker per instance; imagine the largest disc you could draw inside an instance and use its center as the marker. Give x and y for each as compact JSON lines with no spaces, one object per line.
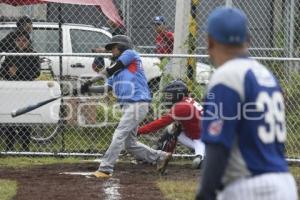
{"x":130,"y":84}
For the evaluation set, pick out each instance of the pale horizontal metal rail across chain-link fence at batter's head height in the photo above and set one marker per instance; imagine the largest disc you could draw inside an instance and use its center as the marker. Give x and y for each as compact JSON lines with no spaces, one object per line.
{"x":142,"y":55}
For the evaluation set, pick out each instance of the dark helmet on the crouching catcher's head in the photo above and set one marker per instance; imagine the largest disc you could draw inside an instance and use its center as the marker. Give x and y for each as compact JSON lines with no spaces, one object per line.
{"x":175,"y":91}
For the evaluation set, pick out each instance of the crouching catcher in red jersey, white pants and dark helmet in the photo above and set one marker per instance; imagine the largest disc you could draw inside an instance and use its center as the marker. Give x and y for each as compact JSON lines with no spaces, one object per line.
{"x":184,"y":111}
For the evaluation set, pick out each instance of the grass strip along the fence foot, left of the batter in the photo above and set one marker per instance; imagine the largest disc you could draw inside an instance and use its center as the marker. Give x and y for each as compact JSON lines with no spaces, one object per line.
{"x":22,"y":162}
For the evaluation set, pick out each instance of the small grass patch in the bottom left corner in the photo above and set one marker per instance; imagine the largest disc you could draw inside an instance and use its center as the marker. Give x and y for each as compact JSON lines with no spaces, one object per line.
{"x":8,"y":189}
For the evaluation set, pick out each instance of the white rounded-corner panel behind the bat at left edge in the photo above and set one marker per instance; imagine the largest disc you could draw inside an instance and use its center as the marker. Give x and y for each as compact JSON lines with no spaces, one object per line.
{"x":19,"y":94}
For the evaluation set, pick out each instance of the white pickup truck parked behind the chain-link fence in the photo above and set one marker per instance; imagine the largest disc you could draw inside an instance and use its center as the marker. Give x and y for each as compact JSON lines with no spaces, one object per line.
{"x":78,"y":38}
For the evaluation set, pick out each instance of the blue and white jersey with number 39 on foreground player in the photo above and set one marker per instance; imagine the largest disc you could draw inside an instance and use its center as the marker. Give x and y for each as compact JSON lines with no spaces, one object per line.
{"x":244,"y":111}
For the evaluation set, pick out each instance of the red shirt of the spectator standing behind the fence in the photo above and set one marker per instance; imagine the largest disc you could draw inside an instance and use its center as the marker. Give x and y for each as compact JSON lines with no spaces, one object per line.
{"x":165,"y":43}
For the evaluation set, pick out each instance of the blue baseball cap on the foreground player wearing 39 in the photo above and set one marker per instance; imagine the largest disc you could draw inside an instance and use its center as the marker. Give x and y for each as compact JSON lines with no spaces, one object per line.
{"x":228,"y":25}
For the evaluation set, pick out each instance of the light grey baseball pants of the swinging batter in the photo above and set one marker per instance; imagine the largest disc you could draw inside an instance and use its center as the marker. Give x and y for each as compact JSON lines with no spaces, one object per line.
{"x":125,"y":137}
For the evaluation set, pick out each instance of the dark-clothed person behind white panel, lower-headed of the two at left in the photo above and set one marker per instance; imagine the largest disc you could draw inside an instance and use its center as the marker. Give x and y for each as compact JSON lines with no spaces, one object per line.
{"x":20,"y":68}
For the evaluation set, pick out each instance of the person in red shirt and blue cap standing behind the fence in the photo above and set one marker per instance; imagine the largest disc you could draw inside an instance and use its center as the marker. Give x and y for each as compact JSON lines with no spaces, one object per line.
{"x":164,"y":38}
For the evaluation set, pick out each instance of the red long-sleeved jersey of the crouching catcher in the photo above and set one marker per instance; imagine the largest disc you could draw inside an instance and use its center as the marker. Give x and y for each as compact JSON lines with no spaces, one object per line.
{"x":188,"y":112}
